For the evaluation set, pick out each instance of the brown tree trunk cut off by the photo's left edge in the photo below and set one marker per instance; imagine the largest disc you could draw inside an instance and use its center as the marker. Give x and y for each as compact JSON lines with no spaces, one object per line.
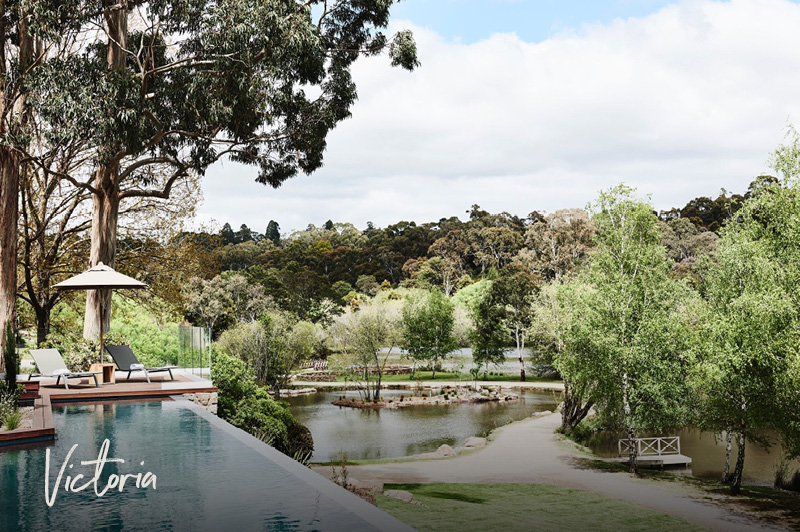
{"x":9,"y":211}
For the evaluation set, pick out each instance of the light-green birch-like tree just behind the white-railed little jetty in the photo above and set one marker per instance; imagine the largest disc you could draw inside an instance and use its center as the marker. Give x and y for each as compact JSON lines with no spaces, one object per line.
{"x":632,"y":344}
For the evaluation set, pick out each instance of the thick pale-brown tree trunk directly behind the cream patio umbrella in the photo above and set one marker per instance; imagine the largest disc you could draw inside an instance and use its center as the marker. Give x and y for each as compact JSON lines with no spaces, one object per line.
{"x":105,"y":205}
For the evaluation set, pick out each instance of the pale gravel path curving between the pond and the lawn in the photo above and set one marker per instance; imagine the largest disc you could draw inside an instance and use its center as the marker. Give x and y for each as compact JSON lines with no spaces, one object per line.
{"x":529,"y":452}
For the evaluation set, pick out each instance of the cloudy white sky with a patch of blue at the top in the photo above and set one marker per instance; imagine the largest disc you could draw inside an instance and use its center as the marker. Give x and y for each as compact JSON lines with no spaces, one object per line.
{"x":524,"y":105}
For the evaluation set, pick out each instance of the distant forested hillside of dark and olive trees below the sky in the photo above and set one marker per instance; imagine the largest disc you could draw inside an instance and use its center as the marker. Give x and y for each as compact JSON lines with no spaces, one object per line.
{"x":311,"y":272}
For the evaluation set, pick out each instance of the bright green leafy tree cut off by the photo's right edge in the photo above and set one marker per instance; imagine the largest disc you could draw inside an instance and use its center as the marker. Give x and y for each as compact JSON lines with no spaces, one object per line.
{"x":752,"y":371}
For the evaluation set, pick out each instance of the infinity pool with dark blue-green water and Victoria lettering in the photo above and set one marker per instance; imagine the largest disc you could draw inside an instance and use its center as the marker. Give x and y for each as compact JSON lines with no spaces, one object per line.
{"x":210,"y":476}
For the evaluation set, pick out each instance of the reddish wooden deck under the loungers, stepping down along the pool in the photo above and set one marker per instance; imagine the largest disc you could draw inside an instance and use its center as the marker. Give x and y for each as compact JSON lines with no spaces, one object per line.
{"x":85,"y":391}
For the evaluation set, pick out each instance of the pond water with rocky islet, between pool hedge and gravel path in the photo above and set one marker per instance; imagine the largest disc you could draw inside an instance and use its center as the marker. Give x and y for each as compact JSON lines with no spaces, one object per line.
{"x":364,"y":434}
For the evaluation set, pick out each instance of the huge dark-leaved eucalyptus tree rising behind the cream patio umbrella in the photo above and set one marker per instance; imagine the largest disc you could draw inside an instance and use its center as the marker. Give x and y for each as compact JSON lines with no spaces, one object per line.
{"x":183,"y":84}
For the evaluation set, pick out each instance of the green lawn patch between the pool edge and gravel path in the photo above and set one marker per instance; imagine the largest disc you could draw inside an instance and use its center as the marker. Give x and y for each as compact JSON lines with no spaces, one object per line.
{"x":518,"y":507}
